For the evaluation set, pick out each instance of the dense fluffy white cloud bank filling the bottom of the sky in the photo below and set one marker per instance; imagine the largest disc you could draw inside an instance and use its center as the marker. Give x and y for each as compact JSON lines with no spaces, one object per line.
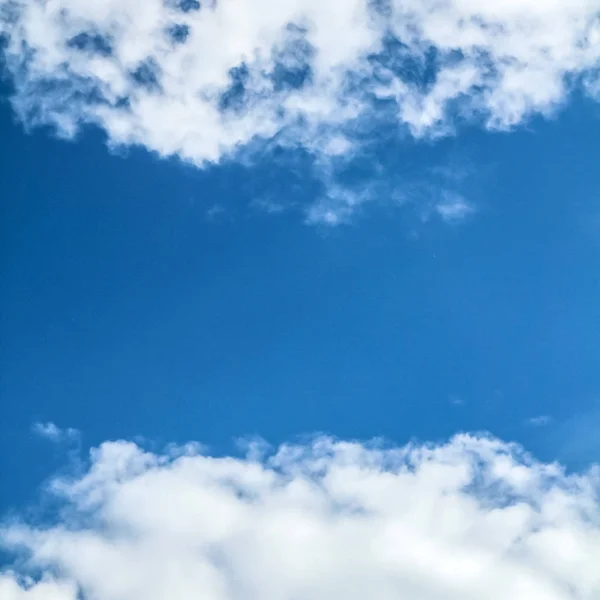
{"x":473,"y":518}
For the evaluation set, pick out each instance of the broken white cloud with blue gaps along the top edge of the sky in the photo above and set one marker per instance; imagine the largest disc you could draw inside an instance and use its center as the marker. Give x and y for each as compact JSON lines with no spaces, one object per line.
{"x":201,"y":84}
